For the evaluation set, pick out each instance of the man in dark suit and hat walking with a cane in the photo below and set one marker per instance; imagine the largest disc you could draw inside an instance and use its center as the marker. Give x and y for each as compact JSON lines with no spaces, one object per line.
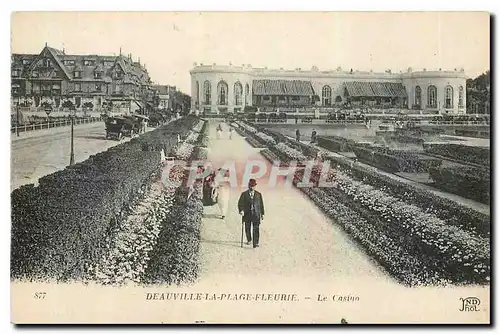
{"x":251,"y":207}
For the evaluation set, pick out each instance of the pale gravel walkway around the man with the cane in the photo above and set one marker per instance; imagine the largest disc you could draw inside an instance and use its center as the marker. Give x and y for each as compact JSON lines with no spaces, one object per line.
{"x":297,"y":239}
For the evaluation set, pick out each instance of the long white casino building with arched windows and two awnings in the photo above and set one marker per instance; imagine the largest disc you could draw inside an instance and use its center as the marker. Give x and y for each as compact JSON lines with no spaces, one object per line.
{"x":231,"y":89}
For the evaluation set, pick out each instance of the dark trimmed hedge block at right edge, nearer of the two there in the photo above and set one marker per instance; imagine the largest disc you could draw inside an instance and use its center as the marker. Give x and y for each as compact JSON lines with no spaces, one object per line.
{"x":469,"y":182}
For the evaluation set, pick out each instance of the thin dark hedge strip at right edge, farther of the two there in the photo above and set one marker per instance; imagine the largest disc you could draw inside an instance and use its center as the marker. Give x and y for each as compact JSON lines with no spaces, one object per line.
{"x":470,"y":154}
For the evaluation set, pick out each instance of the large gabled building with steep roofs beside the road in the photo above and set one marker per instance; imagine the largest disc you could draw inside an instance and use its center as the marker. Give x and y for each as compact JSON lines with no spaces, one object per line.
{"x":79,"y":81}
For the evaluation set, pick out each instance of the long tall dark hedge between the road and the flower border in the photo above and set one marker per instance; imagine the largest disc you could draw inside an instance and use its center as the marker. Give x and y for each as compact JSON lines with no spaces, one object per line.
{"x":62,"y":226}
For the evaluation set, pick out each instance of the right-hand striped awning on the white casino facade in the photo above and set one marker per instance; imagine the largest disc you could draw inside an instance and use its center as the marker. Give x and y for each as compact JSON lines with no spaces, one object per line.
{"x":375,"y":89}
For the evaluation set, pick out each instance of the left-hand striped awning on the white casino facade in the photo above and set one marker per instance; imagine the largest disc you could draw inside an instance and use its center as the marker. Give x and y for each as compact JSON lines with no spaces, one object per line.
{"x":282,"y":87}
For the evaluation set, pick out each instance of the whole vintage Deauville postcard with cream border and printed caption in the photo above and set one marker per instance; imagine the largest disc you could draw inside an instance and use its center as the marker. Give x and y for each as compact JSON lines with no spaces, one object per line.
{"x":250,"y":167}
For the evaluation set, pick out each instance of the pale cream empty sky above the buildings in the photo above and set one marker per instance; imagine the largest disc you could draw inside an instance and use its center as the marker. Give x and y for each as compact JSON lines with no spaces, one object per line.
{"x":169,"y":43}
